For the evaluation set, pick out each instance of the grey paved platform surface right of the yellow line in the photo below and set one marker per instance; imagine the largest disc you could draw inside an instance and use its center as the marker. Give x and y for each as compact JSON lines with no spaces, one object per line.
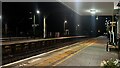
{"x":91,"y":56}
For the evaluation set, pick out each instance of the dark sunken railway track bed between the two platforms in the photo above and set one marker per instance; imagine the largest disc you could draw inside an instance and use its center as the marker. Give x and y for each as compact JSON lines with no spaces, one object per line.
{"x":9,"y":58}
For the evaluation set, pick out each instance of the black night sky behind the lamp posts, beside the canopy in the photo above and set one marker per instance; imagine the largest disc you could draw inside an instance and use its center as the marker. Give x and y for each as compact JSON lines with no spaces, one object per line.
{"x":16,"y":16}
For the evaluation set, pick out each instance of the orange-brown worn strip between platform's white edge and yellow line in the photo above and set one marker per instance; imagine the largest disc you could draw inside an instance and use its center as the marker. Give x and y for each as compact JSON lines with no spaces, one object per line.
{"x":55,"y":58}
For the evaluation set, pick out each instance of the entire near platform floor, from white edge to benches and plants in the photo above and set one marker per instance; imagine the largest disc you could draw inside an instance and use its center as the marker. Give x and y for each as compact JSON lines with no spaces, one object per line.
{"x":89,"y":52}
